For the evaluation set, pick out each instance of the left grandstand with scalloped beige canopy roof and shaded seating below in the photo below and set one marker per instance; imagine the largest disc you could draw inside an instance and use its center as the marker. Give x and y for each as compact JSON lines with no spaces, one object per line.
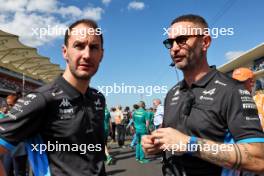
{"x":21,"y":67}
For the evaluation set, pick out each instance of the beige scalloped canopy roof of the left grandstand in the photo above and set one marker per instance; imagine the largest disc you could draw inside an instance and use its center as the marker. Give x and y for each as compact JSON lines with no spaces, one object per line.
{"x":25,"y":60}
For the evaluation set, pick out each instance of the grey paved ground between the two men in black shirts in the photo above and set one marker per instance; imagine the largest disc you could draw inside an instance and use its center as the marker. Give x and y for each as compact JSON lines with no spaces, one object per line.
{"x":125,"y":164}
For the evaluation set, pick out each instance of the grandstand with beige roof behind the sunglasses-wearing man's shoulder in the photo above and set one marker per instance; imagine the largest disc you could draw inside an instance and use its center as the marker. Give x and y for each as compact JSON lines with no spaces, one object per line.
{"x":253,"y":59}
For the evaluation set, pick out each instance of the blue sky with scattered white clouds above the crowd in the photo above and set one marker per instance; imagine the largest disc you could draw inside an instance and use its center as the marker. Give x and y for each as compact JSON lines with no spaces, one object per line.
{"x":134,"y":57}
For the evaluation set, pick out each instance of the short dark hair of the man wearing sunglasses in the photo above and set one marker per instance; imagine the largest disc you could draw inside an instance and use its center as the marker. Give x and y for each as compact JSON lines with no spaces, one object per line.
{"x":191,"y":18}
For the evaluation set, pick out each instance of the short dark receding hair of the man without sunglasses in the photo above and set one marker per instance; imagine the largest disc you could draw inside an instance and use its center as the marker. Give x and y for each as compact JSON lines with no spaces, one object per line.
{"x":88,"y":22}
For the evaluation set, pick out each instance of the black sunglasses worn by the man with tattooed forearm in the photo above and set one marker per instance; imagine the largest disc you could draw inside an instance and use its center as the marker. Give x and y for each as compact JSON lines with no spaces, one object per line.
{"x":180,"y":40}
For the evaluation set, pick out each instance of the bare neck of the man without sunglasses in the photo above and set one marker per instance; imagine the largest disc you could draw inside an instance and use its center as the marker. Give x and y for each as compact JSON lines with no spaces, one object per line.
{"x":79,"y":84}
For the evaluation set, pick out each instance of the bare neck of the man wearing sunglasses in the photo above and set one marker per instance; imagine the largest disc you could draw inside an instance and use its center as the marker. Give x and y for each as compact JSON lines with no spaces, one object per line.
{"x":198,"y":72}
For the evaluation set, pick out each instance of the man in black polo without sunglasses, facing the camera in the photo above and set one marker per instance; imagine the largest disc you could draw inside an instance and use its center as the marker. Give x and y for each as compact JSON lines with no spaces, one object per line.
{"x":62,"y":122}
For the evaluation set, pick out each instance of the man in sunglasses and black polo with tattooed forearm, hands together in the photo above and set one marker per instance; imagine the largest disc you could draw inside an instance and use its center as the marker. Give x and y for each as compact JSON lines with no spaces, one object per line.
{"x":210,"y":124}
